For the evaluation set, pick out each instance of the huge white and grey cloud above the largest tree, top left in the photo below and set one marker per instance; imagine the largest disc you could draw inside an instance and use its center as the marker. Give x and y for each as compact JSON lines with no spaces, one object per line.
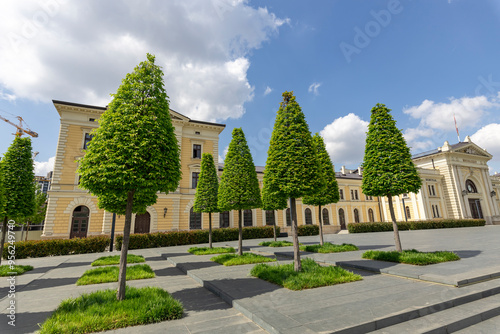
{"x":80,"y":51}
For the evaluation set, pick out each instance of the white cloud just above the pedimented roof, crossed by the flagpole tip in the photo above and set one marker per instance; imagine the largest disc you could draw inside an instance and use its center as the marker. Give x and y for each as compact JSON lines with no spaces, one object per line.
{"x":467,"y":110}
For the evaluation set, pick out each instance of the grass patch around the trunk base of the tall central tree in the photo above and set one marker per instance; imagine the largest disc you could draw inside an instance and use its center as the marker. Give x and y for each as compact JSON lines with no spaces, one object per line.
{"x":312,"y":275}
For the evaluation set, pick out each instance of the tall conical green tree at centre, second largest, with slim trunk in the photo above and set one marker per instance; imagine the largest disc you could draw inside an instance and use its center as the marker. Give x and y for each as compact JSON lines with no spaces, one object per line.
{"x":292,"y":167}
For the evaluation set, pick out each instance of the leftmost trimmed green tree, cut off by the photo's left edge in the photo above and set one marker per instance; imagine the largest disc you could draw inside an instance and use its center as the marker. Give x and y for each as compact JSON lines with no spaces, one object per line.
{"x":18,"y":183}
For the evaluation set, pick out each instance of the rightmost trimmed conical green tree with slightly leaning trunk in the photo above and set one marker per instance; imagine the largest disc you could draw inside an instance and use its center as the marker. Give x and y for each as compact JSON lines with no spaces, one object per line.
{"x":388,"y":169}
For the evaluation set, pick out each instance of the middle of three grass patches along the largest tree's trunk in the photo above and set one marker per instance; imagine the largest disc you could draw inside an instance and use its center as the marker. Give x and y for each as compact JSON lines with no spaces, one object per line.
{"x":110,"y":274}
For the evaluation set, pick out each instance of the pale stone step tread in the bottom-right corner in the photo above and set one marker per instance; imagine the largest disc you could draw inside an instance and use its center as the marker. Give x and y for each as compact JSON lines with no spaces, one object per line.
{"x":449,"y":320}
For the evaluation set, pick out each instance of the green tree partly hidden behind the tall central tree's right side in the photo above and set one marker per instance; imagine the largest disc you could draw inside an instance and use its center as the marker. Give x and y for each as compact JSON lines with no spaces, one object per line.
{"x":330,"y":192}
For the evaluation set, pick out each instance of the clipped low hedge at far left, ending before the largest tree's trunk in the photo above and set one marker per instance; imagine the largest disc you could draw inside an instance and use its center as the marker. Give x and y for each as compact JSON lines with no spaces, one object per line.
{"x":53,"y":247}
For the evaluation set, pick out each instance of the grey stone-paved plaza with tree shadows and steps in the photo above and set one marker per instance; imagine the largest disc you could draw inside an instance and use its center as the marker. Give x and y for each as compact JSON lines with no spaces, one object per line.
{"x":462,"y":296}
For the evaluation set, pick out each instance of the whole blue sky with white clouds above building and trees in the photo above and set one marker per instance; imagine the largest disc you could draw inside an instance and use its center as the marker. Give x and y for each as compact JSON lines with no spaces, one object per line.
{"x":229,"y":62}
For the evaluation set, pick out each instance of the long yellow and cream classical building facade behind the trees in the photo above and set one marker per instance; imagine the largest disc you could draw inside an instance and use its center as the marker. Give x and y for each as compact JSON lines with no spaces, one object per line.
{"x":455,"y":180}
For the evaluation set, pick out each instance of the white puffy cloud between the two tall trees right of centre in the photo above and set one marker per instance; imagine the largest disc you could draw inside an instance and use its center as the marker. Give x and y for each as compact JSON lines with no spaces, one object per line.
{"x":345,"y":139}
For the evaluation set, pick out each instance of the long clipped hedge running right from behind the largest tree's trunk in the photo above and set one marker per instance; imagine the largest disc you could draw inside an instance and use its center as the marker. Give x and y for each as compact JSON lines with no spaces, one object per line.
{"x":176,"y":238}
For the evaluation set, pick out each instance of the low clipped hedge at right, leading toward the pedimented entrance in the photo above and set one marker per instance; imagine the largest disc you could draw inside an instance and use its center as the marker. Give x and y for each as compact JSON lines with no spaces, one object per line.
{"x":414,"y":225}
